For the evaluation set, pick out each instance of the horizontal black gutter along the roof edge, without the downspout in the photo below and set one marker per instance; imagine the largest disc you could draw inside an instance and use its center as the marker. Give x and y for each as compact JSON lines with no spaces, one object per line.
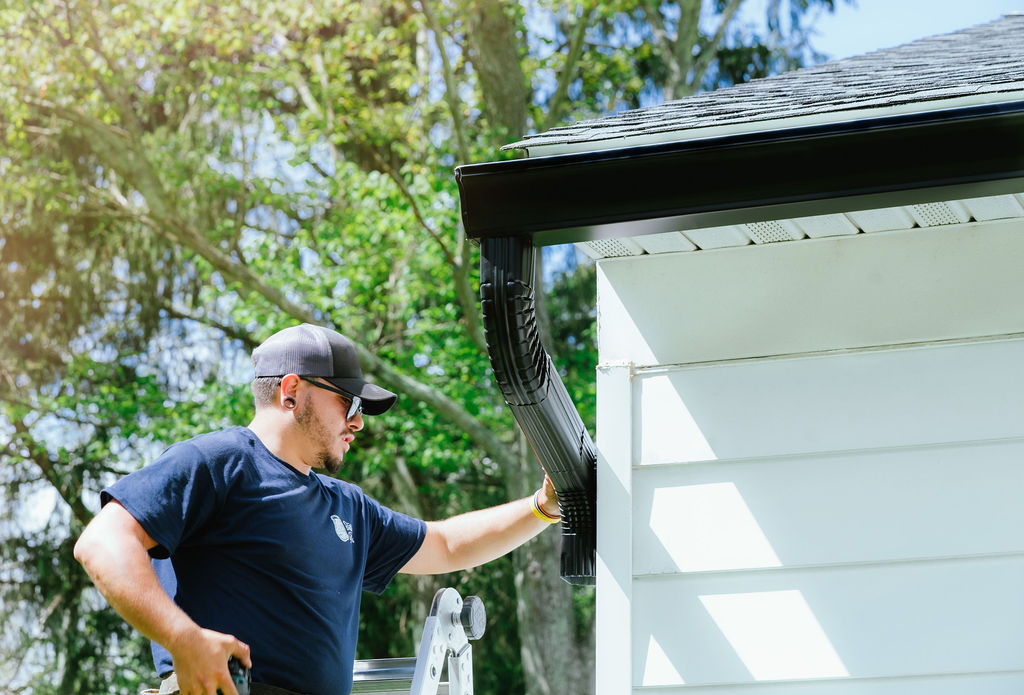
{"x":874,"y":163}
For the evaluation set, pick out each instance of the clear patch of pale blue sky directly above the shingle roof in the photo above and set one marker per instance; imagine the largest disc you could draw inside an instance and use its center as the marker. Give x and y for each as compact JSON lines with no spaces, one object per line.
{"x":871,"y":25}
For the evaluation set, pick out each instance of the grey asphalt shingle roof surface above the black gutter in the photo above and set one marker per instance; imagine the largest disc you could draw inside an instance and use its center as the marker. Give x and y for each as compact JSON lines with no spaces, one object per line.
{"x":988,"y":60}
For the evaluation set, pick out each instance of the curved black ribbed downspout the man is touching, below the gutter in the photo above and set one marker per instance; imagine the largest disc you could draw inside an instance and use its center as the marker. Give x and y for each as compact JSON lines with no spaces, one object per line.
{"x":539,"y":401}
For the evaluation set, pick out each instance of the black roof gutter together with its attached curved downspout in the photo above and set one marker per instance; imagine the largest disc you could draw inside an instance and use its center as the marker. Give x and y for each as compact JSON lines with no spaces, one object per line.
{"x":516,"y":205}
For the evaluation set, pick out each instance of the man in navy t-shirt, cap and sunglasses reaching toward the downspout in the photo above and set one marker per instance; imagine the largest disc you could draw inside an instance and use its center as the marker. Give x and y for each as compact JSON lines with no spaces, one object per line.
{"x":269,"y":559}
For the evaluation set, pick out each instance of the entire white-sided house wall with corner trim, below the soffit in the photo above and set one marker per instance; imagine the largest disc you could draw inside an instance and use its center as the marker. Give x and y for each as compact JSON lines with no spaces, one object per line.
{"x":812,"y":462}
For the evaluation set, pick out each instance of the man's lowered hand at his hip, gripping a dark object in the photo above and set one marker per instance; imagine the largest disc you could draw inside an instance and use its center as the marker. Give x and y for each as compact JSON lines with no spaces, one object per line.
{"x":201,"y":662}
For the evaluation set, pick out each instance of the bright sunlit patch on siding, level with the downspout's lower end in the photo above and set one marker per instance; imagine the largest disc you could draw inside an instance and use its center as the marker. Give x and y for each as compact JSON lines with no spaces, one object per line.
{"x":709,"y":528}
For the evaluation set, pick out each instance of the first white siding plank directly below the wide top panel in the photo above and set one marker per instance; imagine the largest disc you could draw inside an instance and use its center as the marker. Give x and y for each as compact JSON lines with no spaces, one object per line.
{"x":857,"y":401}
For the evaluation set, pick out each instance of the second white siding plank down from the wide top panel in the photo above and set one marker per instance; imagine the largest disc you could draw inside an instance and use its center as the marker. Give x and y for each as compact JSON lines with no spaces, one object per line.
{"x":862,"y":507}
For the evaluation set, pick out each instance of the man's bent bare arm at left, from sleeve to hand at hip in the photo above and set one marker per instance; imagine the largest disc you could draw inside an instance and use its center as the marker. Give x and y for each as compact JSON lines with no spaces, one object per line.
{"x":114,"y":550}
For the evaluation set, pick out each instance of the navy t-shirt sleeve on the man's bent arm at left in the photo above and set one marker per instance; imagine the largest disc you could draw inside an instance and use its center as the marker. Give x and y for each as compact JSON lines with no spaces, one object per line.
{"x":173,"y":497}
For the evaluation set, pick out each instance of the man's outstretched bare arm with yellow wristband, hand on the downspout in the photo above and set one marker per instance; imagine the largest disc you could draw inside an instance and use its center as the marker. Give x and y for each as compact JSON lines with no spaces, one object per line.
{"x":476,"y":538}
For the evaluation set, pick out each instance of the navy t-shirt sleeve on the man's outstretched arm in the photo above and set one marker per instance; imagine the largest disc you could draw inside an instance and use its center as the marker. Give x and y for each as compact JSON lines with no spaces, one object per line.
{"x":395,"y":539}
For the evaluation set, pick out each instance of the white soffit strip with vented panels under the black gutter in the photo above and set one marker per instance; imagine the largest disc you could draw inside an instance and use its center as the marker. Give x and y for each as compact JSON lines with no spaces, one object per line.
{"x":774,"y":232}
